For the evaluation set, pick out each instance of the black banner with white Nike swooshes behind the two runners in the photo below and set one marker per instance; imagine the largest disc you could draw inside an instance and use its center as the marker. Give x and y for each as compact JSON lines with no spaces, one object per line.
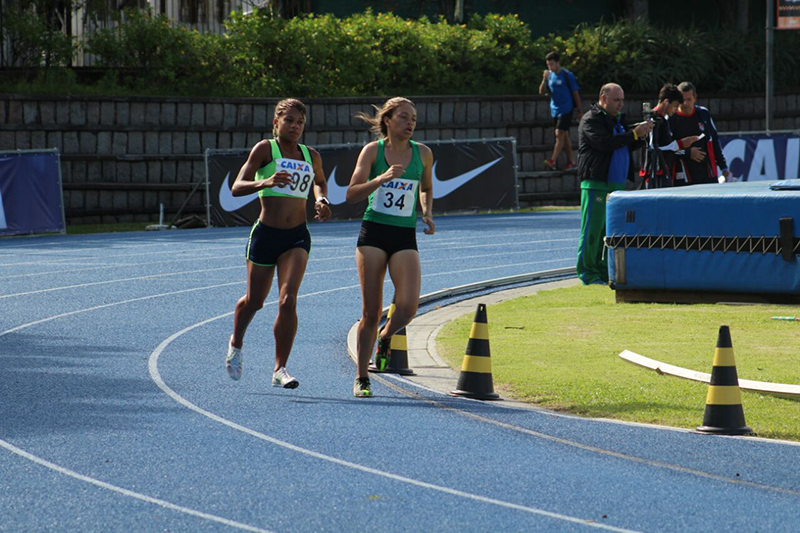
{"x":467,"y":174}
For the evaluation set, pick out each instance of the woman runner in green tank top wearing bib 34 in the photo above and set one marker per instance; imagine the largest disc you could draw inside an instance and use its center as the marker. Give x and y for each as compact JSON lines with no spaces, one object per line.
{"x":393,"y":172}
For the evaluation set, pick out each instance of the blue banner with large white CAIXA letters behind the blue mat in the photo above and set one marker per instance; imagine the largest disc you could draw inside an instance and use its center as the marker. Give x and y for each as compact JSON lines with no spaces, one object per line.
{"x":762,"y":157}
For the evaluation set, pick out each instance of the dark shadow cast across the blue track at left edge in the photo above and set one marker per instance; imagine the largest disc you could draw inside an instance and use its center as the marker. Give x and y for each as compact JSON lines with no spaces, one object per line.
{"x":50,"y":385}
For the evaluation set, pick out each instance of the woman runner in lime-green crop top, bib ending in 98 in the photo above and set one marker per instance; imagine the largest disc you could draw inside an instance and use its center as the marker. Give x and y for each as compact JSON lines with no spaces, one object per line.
{"x":282,"y":172}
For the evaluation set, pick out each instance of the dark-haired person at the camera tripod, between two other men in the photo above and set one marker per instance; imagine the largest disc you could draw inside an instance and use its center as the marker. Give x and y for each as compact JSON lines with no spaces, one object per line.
{"x":658,"y":161}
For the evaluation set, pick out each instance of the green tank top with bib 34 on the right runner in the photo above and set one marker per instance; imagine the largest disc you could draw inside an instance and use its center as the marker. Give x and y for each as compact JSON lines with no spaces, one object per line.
{"x":395,"y":202}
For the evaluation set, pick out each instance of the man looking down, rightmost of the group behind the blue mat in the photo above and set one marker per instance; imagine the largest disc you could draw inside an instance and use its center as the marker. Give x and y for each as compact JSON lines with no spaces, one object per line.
{"x":703,"y":161}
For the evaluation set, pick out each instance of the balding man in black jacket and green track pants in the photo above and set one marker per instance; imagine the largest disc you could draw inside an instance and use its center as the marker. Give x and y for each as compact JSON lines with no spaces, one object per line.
{"x":605,"y":147}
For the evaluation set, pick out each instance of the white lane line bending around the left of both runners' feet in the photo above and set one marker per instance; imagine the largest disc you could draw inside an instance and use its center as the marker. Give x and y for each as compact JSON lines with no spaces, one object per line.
{"x":152,"y":365}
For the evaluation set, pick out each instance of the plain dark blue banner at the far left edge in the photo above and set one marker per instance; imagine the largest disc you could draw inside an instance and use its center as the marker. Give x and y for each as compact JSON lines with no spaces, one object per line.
{"x":31,"y":200}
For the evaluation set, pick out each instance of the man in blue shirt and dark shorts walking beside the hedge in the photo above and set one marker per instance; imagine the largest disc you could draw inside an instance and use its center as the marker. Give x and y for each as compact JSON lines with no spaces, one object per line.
{"x":564,"y":100}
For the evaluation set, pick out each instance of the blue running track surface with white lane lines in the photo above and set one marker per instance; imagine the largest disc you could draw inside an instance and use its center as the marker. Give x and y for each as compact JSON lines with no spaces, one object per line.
{"x":116,"y":413}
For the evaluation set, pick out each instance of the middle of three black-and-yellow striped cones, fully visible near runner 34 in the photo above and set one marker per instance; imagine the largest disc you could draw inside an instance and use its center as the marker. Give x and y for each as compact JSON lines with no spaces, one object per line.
{"x":475,"y":380}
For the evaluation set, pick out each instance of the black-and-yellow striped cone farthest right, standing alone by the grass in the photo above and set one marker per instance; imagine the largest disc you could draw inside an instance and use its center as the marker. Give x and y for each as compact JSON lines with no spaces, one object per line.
{"x":724,"y":413}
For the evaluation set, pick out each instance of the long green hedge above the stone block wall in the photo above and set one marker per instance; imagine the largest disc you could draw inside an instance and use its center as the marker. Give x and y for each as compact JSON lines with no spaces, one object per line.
{"x":381,"y":54}
